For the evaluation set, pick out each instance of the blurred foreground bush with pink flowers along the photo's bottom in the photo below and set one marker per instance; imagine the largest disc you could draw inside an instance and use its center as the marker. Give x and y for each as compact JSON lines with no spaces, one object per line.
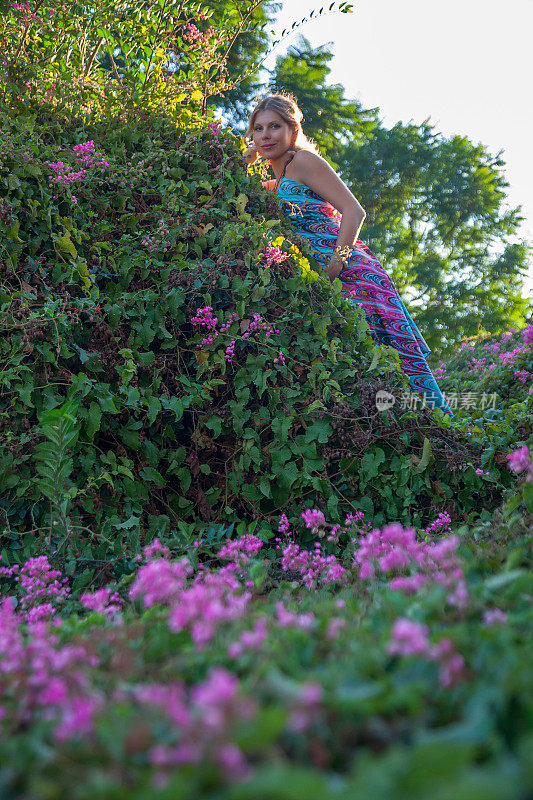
{"x":187,"y":674}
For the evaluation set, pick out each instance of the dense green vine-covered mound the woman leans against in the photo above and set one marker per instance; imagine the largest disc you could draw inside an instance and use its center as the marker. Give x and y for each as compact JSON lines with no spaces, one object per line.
{"x":173,"y":356}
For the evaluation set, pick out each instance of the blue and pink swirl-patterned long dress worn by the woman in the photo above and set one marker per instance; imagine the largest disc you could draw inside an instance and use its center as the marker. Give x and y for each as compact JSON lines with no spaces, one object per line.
{"x":365,"y":282}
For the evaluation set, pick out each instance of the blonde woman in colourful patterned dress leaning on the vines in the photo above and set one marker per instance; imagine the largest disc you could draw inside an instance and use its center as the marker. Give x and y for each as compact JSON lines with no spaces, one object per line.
{"x":322,"y":208}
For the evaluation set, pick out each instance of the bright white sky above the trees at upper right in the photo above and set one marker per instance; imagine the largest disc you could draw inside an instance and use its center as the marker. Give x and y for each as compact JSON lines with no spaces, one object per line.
{"x":467,"y":65}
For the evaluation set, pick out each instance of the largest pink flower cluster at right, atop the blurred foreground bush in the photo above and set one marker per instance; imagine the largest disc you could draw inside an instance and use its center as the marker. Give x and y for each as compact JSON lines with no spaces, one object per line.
{"x":394,"y":549}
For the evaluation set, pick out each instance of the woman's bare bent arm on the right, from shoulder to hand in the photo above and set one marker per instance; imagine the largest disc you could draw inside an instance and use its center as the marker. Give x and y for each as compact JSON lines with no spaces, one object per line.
{"x":315,"y":172}
